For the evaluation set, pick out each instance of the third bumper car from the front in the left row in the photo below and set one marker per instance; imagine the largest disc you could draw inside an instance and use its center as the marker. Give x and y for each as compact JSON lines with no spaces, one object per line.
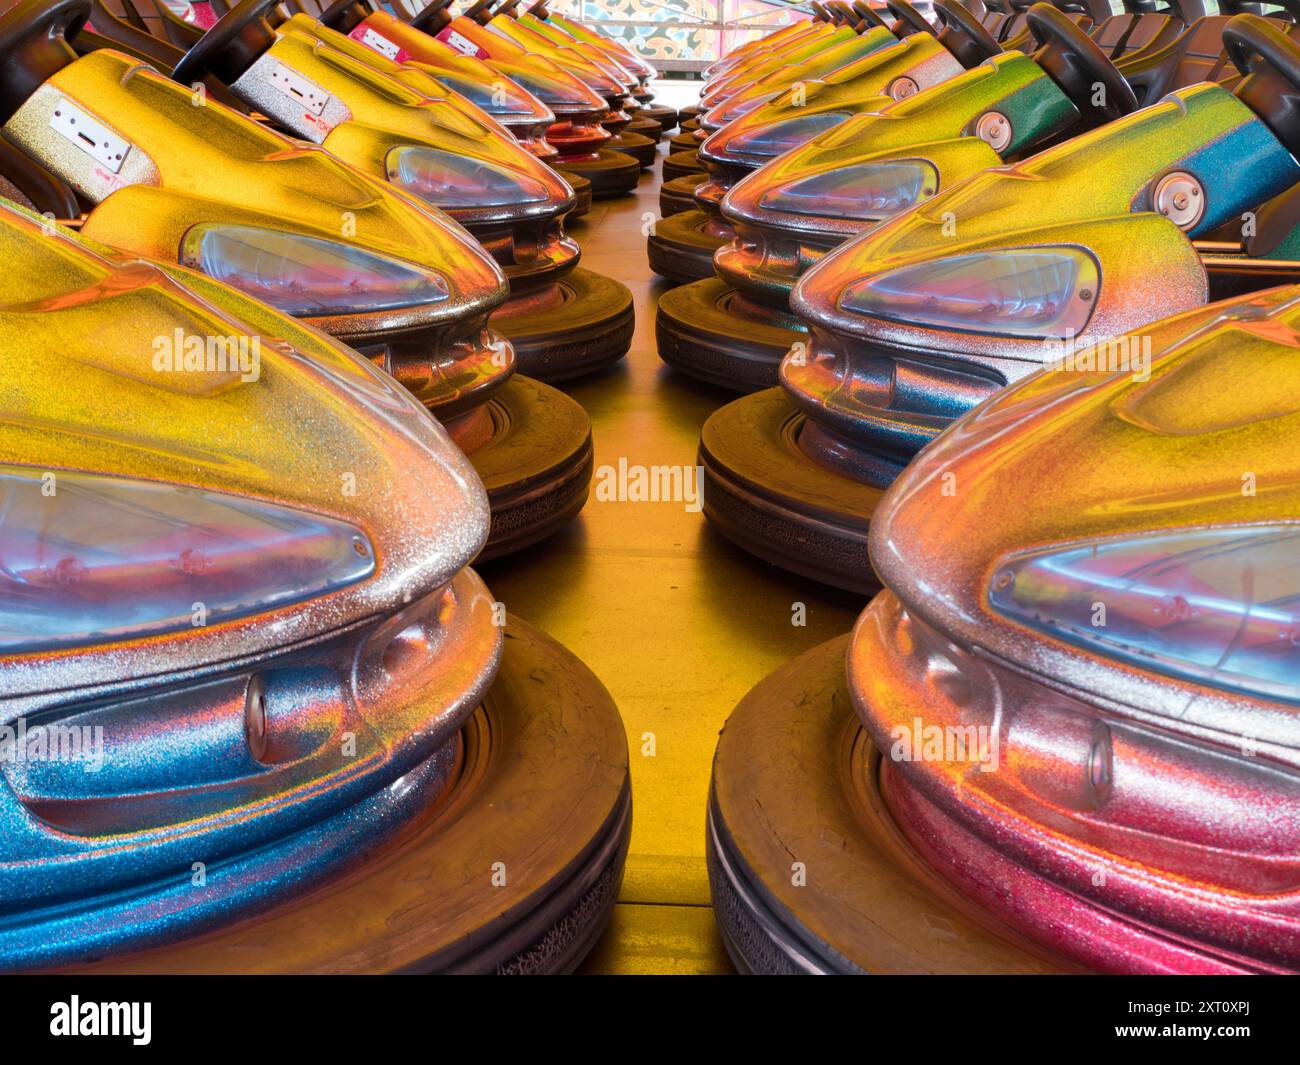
{"x":564,"y":322}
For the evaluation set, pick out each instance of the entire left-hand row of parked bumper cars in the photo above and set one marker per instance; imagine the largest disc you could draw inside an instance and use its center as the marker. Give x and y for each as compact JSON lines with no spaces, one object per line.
{"x":284,"y":292}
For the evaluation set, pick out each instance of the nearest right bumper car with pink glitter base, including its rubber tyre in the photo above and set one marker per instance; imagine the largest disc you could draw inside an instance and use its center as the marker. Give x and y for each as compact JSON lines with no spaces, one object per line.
{"x":1064,"y":737}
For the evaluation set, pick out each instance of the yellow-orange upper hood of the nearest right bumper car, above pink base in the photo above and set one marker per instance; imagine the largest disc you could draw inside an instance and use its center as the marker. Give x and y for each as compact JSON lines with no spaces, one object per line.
{"x":1069,"y":458}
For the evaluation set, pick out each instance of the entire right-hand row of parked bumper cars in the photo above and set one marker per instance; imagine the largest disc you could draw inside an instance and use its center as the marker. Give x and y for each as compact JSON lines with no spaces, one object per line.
{"x":1011,"y":297}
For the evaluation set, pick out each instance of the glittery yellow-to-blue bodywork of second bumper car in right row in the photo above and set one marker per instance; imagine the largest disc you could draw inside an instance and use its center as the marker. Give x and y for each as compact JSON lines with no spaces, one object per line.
{"x":898,"y":383}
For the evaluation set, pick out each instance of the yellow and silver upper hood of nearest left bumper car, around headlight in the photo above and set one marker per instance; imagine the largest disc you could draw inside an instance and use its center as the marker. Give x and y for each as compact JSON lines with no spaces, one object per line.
{"x":328,"y":421}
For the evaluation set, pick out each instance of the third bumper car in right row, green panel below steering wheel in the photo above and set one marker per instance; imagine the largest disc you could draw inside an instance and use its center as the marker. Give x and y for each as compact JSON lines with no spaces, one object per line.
{"x":735,"y":328}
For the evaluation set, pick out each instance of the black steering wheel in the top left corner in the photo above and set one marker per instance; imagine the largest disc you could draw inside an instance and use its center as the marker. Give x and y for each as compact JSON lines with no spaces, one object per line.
{"x":34,"y":46}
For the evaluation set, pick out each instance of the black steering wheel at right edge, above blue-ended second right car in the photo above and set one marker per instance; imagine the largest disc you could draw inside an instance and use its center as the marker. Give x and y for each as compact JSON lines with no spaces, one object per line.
{"x":1271,"y":63}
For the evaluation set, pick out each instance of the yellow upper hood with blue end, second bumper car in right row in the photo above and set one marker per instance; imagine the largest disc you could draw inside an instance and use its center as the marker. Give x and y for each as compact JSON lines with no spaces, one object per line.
{"x":1093,"y":193}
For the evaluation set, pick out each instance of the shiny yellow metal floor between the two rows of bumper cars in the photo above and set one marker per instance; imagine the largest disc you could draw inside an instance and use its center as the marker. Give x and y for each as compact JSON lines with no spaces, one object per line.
{"x":675,"y":622}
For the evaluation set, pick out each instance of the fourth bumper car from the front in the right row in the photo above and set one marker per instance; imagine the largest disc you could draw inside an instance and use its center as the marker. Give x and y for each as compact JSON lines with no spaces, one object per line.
{"x":682,"y":246}
